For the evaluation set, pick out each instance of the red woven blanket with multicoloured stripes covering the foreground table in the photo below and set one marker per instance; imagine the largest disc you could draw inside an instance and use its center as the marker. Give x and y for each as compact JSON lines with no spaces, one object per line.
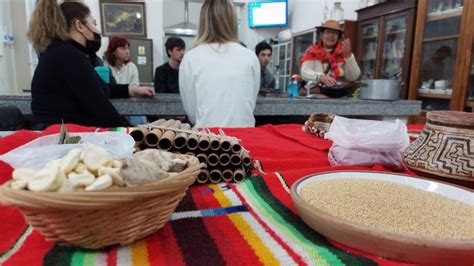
{"x":250,"y":223}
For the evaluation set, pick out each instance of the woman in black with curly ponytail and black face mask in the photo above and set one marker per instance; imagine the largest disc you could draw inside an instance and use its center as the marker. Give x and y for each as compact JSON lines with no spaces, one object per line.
{"x":65,"y":86}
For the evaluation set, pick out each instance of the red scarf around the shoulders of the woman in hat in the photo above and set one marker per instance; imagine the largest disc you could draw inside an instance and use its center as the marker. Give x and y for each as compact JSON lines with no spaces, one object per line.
{"x":318,"y":52}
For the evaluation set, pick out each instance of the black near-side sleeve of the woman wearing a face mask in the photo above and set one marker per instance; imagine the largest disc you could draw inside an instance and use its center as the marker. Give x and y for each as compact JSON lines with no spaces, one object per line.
{"x":81,"y":78}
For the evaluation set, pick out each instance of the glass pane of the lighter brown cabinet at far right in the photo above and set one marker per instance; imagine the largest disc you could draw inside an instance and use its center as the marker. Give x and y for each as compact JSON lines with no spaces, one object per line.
{"x":439,"y":50}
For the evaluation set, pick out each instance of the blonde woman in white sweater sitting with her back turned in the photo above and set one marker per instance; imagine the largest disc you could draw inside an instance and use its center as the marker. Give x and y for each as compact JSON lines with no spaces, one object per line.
{"x":219,"y":79}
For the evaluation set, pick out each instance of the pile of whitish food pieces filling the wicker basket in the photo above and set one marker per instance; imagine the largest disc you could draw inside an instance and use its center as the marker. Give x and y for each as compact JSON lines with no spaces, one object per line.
{"x":93,"y":168}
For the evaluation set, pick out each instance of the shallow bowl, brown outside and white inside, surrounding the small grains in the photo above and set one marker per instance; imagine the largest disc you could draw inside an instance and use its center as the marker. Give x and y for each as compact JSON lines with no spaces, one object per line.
{"x":398,"y":246}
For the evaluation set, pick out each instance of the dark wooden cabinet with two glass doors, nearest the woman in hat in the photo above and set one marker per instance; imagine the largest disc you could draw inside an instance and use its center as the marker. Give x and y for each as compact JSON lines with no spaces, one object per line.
{"x":385,"y":40}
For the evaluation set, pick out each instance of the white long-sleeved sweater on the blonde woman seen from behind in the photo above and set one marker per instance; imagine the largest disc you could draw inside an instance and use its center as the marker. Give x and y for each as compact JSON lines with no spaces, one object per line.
{"x":219,"y":85}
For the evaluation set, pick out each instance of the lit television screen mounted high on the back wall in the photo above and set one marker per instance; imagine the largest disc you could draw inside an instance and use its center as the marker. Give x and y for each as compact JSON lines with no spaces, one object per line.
{"x":268,"y":13}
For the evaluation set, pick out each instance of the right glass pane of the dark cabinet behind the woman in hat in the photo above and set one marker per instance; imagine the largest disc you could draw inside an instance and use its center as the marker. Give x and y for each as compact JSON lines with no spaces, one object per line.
{"x":394,"y":48}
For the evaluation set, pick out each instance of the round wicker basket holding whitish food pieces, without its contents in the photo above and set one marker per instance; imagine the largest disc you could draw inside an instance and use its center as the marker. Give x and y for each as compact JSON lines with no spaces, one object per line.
{"x":98,"y":219}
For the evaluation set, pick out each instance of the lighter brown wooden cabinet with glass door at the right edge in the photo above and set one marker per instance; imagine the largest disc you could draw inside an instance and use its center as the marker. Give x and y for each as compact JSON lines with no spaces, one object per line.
{"x":442,"y":65}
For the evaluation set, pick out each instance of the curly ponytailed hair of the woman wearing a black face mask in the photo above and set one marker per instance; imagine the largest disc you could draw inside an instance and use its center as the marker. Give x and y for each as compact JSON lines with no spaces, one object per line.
{"x":51,"y":21}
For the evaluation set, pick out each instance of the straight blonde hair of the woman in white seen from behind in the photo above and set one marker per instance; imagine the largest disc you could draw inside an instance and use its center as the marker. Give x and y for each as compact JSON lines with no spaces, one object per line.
{"x":217,"y":23}
